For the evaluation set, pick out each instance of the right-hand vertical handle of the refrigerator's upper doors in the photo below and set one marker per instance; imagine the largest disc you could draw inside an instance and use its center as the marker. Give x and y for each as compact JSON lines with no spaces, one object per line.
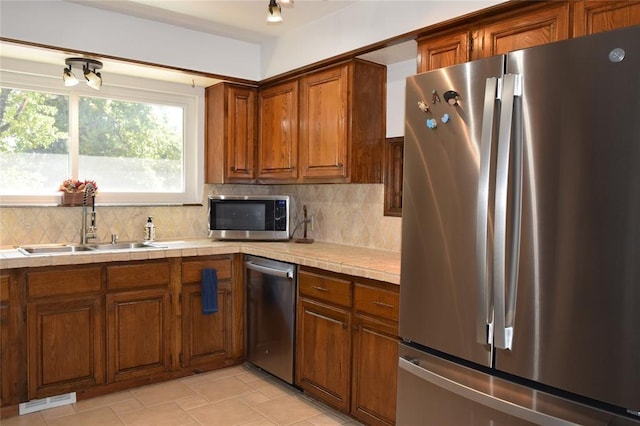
{"x":507,"y":250}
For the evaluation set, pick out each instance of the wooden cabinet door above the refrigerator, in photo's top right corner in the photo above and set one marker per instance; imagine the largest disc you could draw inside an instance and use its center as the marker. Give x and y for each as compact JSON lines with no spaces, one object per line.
{"x":591,"y":17}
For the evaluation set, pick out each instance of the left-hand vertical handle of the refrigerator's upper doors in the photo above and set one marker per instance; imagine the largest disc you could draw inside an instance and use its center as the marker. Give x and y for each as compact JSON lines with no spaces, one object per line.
{"x":484,"y":323}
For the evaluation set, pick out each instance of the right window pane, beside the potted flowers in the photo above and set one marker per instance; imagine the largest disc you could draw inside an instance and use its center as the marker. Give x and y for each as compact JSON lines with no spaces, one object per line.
{"x":131,"y":146}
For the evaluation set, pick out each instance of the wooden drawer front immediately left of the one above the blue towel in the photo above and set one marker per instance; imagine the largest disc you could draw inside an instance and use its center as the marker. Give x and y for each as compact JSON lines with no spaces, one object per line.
{"x":137,"y":275}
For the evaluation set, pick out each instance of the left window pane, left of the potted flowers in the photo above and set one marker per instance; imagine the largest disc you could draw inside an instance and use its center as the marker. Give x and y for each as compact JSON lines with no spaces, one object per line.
{"x":34,"y":134}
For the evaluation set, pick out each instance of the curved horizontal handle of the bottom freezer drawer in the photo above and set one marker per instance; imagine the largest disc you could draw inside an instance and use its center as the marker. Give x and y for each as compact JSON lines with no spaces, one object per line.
{"x":413,"y":367}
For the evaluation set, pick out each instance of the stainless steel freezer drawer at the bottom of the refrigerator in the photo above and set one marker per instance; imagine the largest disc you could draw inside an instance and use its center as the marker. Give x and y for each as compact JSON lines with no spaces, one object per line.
{"x":436,"y":391}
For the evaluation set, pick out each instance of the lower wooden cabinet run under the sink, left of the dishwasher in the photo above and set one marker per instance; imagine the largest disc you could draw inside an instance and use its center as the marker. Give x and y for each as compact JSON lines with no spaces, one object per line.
{"x":95,"y":329}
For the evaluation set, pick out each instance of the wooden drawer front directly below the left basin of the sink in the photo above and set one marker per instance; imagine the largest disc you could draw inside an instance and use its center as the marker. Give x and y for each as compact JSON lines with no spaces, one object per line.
{"x":64,"y":281}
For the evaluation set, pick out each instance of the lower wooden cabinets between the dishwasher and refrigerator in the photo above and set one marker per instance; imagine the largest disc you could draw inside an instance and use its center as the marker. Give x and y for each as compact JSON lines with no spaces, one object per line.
{"x":347,"y":345}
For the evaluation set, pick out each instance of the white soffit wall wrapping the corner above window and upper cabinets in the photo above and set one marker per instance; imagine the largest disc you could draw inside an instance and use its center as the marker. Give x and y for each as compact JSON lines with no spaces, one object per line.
{"x":74,"y":26}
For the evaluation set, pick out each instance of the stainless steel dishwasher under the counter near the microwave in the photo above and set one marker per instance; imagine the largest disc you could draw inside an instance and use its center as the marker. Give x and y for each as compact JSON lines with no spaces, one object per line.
{"x":270,"y":291}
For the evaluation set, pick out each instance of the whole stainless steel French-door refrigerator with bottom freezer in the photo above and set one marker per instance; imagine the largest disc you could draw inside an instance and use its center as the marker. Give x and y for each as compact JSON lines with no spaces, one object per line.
{"x":520,"y":278}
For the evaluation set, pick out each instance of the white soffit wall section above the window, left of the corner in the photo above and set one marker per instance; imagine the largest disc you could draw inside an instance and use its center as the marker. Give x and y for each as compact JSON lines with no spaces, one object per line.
{"x":76,"y":27}
